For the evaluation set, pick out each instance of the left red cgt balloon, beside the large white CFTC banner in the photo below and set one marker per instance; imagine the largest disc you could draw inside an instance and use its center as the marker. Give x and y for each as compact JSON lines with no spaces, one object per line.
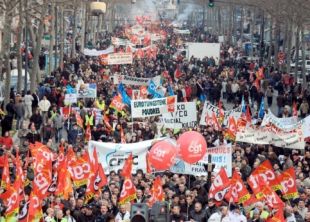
{"x":162,"y":155}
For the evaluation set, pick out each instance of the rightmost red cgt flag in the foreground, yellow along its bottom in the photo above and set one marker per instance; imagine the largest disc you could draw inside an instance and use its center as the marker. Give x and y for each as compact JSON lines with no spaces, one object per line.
{"x":288,"y":183}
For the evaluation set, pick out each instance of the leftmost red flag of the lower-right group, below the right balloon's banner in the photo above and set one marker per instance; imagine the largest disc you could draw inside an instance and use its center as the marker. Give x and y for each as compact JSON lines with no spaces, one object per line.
{"x":219,"y":186}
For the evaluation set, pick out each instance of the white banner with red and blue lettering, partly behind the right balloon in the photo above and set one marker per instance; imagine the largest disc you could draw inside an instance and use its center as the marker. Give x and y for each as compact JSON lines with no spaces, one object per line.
{"x":221,"y":156}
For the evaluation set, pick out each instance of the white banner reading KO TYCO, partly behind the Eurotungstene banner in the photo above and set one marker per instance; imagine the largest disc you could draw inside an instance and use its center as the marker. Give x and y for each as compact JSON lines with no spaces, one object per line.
{"x":184,"y":116}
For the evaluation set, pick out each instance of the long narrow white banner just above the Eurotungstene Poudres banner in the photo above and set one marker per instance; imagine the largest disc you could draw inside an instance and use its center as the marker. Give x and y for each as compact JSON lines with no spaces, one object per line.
{"x":131,"y":80}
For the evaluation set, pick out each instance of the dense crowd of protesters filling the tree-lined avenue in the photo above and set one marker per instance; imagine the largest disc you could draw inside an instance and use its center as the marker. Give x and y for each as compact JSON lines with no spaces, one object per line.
{"x":37,"y":117}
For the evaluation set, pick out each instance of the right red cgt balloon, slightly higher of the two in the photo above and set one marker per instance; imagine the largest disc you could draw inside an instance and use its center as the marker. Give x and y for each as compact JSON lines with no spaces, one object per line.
{"x":192,"y":146}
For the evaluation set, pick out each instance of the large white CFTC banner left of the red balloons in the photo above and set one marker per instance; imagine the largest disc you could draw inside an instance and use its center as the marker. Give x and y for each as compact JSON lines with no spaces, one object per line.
{"x":113,"y":155}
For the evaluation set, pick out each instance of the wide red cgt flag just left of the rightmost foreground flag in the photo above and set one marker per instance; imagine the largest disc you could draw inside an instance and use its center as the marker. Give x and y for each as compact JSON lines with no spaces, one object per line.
{"x":263,"y":173}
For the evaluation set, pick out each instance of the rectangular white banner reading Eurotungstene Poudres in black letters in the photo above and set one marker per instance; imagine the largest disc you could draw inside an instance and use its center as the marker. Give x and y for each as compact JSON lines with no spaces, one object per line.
{"x":154,"y":107}
